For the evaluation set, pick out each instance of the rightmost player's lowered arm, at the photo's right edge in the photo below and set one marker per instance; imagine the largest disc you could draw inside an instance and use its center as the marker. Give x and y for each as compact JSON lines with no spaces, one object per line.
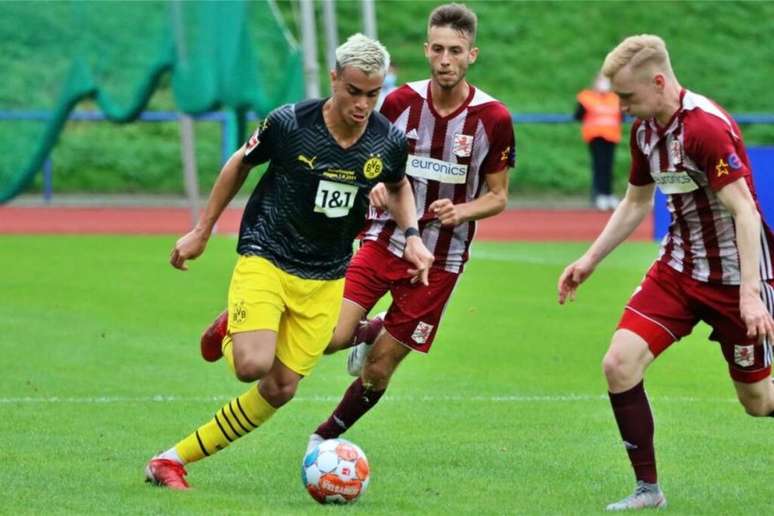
{"x":738,"y":200}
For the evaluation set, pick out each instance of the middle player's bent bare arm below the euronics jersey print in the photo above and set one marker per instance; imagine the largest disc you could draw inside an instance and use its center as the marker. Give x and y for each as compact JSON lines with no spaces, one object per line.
{"x":487,"y":205}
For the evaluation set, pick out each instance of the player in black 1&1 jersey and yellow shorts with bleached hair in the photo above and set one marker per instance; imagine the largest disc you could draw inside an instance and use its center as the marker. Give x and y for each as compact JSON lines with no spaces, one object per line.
{"x":295,"y":242}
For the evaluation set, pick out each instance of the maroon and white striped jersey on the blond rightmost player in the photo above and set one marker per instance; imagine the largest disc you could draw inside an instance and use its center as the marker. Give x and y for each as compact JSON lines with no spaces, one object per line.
{"x":699,"y":152}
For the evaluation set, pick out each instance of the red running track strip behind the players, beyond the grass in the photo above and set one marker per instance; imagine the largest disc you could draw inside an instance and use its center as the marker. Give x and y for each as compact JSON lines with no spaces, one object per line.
{"x":527,"y":224}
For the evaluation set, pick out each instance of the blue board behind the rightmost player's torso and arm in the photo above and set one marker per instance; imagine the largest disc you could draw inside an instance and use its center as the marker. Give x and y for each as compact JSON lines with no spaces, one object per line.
{"x":762,"y":162}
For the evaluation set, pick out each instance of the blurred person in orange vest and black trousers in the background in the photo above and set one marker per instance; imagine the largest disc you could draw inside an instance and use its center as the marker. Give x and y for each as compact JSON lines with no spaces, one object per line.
{"x":600,"y":116}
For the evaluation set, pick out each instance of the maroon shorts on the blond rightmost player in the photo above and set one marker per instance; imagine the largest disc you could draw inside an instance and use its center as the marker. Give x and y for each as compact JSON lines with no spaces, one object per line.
{"x":668,"y":304}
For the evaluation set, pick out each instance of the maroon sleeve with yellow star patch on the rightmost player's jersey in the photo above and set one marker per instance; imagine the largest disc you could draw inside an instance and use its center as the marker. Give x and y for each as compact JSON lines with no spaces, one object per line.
{"x":716,"y":147}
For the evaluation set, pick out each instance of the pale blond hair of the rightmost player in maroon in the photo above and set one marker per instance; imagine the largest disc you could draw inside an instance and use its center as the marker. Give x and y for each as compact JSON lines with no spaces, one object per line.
{"x":638,"y":52}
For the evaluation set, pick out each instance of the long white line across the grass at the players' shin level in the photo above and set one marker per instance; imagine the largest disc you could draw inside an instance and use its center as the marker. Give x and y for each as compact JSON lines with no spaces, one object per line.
{"x":332,"y":399}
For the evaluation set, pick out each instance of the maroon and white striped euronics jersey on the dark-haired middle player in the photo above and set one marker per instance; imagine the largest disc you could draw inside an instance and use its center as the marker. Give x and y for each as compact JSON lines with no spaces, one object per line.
{"x":449,"y":157}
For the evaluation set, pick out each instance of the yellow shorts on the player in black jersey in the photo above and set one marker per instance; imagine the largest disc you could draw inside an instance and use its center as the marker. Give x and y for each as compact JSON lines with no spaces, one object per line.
{"x":303,"y":312}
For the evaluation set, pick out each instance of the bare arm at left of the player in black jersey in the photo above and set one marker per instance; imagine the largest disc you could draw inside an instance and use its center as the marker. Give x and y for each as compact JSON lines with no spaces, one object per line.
{"x":231,"y":178}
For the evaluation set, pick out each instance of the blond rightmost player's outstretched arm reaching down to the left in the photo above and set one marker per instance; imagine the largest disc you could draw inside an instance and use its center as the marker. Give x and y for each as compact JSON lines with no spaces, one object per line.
{"x":629,"y":214}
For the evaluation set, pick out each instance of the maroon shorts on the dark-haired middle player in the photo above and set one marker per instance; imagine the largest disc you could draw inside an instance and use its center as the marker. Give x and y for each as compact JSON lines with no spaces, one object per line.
{"x":416,"y":310}
